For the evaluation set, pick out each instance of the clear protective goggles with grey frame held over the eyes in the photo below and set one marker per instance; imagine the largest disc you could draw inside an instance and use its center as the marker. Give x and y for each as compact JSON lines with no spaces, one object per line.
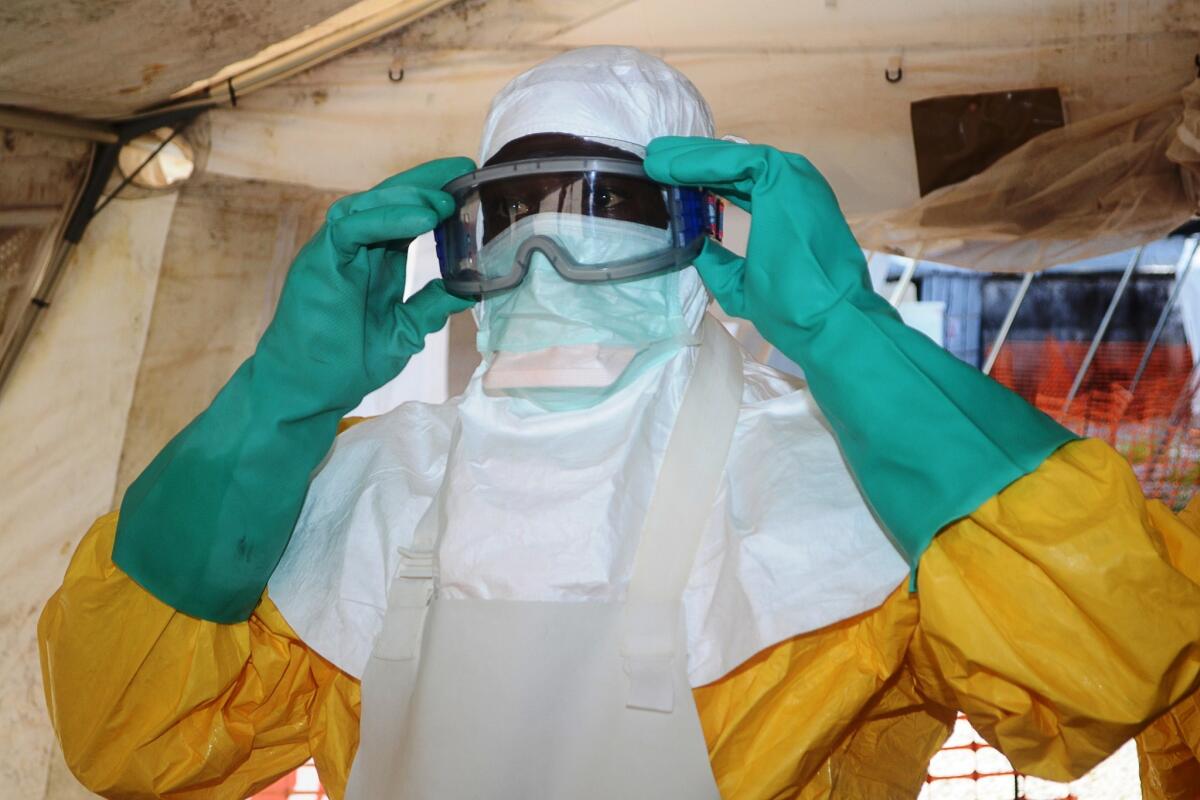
{"x":563,"y":208}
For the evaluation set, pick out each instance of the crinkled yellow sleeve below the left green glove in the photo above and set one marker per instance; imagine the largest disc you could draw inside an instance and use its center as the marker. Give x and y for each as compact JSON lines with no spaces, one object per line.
{"x":148,"y":702}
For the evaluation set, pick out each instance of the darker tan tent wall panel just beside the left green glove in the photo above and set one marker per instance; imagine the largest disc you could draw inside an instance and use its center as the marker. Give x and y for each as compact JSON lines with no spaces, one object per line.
{"x":226,"y":256}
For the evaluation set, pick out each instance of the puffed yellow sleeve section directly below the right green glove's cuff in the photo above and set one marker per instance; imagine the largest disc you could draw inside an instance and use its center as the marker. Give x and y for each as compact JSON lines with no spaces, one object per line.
{"x":1055,"y":616}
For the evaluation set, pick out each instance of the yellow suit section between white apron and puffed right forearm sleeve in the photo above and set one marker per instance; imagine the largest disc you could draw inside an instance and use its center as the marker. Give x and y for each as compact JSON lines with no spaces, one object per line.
{"x":830,"y":714}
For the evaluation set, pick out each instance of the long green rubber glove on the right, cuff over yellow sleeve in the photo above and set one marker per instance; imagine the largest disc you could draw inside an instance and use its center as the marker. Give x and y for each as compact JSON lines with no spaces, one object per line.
{"x":928,"y":437}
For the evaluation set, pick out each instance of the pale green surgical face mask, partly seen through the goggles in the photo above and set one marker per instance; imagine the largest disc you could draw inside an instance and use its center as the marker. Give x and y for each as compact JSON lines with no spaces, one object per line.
{"x":583,"y":341}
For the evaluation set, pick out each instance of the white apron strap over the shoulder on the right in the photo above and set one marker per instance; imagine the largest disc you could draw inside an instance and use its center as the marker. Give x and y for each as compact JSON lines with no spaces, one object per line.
{"x":689,"y":480}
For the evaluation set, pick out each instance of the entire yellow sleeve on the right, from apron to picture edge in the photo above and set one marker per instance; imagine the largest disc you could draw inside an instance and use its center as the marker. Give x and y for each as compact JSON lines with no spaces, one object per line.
{"x":1054,"y":617}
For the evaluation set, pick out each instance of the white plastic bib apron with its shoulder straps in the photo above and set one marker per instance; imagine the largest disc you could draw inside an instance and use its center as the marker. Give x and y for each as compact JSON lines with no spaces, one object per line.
{"x":542,"y":701}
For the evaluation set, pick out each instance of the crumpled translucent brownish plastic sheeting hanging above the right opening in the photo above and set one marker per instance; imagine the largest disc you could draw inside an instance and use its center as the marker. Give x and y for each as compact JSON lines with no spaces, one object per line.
{"x":1099,"y":187}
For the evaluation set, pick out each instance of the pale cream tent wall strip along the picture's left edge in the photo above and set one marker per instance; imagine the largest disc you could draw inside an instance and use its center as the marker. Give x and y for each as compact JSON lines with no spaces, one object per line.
{"x":62,"y":423}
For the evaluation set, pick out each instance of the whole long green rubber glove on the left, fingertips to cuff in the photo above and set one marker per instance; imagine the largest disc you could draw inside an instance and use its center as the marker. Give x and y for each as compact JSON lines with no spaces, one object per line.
{"x":207,"y":522}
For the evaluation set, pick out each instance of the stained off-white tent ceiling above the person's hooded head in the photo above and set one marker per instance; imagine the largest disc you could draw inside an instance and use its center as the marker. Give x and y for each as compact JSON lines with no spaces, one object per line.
{"x":807,"y":75}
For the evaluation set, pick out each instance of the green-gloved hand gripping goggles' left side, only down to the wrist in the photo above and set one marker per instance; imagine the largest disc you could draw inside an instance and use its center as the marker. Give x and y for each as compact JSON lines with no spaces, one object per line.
{"x":343,"y":328}
